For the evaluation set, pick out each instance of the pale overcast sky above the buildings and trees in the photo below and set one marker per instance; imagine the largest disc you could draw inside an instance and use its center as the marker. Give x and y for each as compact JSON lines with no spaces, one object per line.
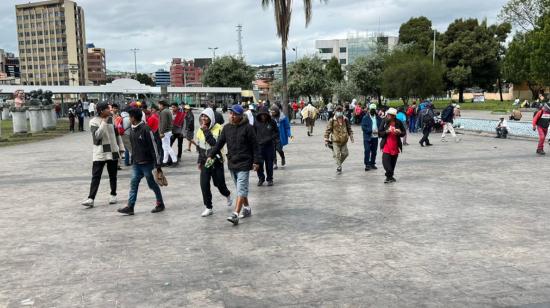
{"x":163,"y":29}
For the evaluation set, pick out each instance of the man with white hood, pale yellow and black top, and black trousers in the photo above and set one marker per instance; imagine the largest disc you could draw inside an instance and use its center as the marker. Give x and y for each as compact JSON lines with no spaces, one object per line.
{"x":207,"y":136}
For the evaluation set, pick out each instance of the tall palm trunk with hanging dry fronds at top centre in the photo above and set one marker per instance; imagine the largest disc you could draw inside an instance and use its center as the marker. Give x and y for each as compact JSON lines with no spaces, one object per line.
{"x":283,"y":14}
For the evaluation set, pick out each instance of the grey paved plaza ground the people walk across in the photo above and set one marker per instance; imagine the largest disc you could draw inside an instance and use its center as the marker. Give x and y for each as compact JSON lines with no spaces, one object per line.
{"x":466,"y":225}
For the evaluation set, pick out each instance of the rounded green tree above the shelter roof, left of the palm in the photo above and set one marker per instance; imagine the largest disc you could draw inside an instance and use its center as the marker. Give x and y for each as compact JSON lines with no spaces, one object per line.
{"x":229,"y":71}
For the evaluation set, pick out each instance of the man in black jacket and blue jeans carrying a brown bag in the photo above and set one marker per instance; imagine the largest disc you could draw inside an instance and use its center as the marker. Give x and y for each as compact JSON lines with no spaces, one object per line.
{"x":145,"y":156}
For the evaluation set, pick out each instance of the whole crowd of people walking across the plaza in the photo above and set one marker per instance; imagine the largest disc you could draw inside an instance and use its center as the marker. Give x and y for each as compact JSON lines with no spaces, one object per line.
{"x":254,"y":137}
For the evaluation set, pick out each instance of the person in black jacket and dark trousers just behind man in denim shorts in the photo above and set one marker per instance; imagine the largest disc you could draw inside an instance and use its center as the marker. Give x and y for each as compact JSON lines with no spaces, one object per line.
{"x":267,"y":135}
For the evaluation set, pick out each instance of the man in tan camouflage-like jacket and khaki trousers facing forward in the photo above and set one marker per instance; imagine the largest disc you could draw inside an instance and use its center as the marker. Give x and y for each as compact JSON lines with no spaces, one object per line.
{"x":338,"y":133}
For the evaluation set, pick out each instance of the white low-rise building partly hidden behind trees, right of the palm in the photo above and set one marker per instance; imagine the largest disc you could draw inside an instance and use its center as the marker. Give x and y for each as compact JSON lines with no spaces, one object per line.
{"x":356,"y":45}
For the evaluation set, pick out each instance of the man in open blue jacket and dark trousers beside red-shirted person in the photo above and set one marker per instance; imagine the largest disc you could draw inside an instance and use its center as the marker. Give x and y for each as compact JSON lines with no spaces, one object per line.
{"x":370,"y":124}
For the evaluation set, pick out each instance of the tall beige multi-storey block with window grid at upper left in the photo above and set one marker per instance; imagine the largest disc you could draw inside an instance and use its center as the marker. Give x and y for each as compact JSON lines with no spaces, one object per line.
{"x":52,"y":40}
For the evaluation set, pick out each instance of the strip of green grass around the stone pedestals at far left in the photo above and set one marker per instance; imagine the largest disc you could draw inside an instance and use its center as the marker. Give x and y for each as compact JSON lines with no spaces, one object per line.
{"x":8,"y":138}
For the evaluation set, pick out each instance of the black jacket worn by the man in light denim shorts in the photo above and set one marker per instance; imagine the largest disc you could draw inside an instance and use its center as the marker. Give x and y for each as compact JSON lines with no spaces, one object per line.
{"x":242,"y":148}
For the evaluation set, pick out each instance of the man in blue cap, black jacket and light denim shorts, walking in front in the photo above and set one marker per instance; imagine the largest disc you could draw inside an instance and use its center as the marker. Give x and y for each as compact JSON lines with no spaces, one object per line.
{"x":242,"y":156}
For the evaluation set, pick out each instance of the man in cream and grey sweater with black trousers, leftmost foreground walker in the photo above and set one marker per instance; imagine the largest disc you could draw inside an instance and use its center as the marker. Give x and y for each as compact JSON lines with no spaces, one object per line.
{"x":107,"y":148}
